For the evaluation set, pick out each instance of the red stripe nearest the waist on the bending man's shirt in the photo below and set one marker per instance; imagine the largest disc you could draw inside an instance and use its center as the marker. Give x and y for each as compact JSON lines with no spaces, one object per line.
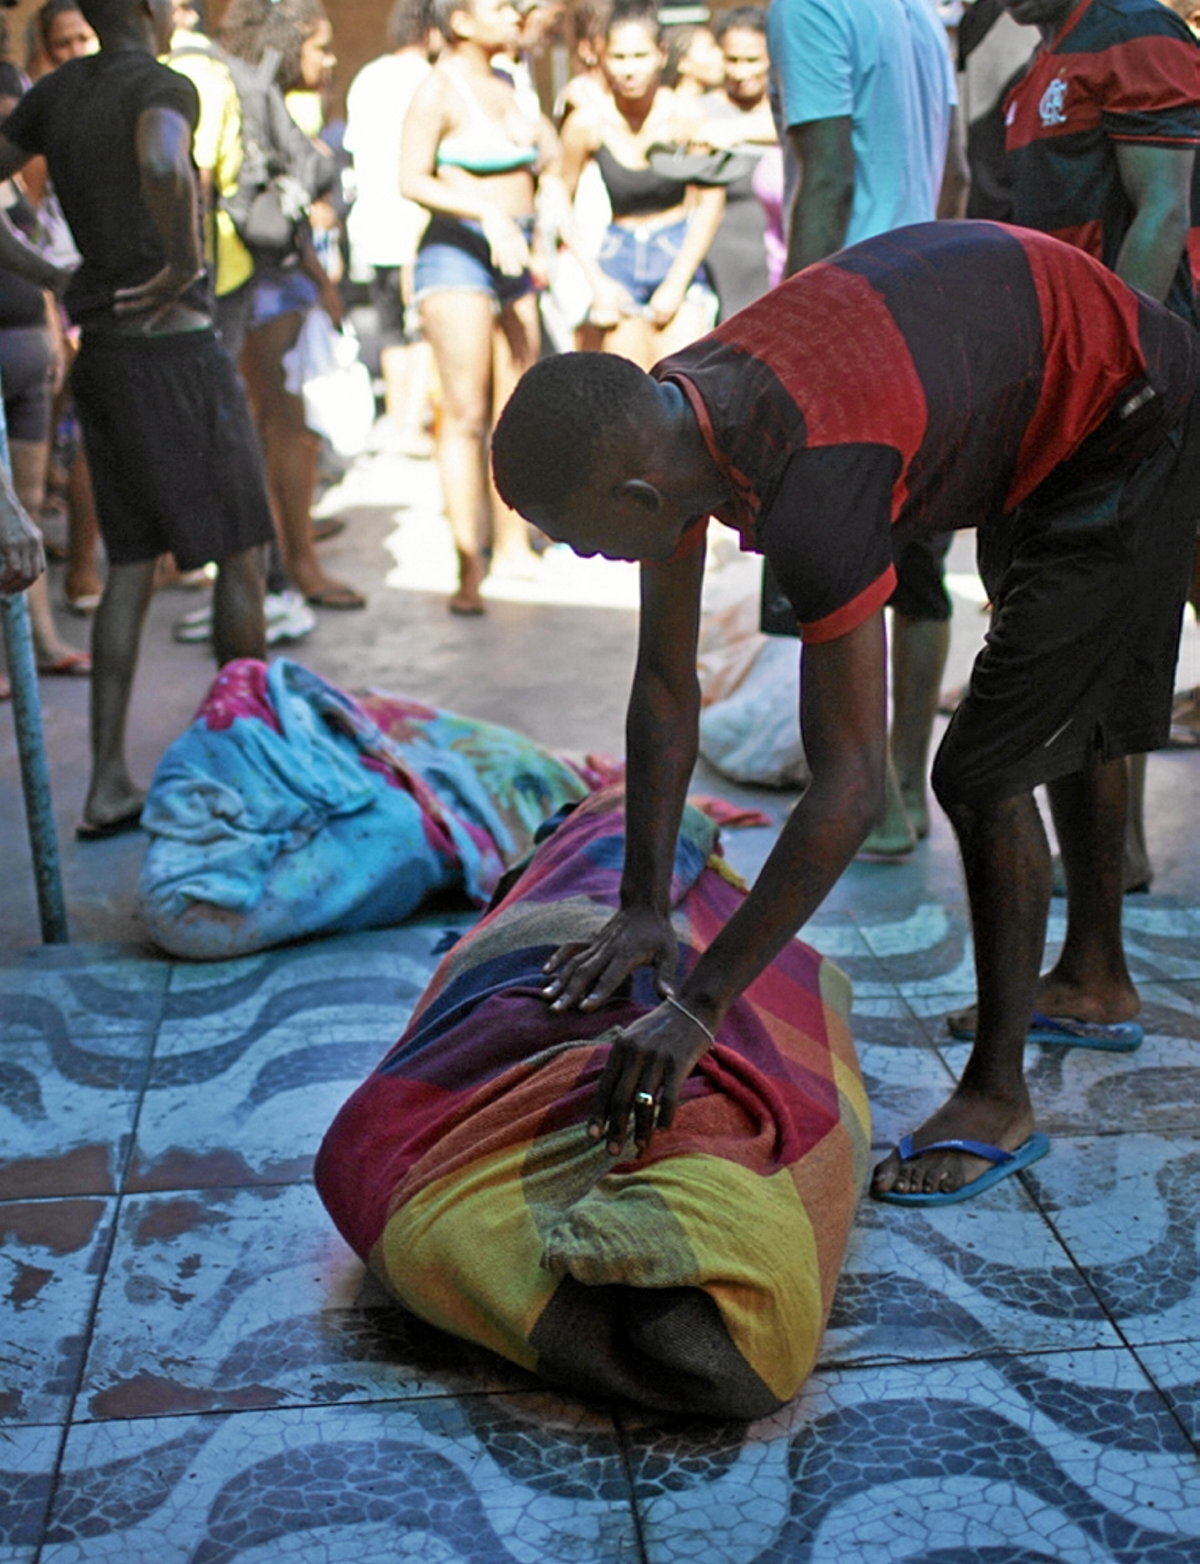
{"x":1093,"y":323}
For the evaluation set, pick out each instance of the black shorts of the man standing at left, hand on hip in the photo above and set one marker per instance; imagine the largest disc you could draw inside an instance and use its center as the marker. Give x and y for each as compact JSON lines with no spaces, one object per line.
{"x":173,"y":453}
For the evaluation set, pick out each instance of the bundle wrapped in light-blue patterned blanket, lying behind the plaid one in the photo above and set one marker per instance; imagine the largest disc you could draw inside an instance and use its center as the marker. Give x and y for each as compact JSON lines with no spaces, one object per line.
{"x":290,"y":809}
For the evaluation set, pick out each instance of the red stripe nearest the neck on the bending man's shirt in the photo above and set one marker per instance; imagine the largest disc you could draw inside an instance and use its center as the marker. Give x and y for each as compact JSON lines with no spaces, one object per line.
{"x":844,"y":362}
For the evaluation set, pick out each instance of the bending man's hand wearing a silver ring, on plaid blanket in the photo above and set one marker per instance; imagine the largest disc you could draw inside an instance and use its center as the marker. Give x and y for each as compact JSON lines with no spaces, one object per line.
{"x":647,"y":1067}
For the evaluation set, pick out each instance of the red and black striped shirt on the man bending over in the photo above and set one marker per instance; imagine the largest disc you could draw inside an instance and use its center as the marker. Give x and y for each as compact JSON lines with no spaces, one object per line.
{"x":924,"y":381}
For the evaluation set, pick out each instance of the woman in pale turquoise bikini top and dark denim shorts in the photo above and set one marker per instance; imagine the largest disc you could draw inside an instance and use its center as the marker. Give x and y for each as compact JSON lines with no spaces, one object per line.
{"x":472,"y":157}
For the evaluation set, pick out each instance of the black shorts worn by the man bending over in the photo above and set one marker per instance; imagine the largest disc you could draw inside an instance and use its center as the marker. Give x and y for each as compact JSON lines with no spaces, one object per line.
{"x":1088,"y":592}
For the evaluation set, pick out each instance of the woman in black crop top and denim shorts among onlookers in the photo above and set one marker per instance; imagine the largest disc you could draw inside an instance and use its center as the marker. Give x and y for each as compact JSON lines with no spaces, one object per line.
{"x":647,"y":298}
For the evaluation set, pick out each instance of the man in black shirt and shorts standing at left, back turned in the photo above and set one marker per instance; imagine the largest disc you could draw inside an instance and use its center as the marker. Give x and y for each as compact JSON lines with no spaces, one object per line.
{"x":174,"y":457}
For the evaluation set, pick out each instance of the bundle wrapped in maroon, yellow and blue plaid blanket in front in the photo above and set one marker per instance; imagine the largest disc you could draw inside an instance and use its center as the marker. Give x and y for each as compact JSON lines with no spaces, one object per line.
{"x":695,"y":1279}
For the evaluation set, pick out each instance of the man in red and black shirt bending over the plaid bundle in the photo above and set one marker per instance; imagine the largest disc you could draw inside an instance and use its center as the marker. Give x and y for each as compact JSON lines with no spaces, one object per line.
{"x":925,"y":379}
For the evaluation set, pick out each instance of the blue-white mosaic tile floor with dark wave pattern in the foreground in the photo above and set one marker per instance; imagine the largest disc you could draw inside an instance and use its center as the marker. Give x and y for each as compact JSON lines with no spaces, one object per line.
{"x":195,"y":1371}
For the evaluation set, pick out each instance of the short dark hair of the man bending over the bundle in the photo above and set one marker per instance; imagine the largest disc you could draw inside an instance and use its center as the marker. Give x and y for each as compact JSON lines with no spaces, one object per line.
{"x":566,"y":415}
